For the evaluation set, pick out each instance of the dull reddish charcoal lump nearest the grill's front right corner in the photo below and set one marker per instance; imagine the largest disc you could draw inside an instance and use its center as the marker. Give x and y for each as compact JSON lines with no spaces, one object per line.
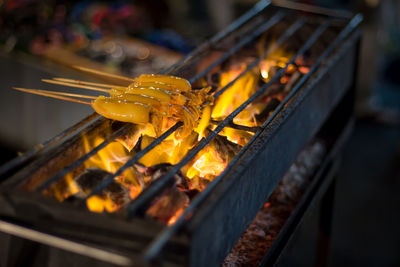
{"x":168,"y":206}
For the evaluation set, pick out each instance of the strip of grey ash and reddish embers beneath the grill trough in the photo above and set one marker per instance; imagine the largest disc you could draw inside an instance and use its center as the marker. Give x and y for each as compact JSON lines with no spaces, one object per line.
{"x":259,"y":236}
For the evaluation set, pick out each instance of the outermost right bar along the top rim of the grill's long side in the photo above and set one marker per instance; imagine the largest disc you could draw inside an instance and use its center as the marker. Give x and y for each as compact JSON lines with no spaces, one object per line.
{"x":156,"y":246}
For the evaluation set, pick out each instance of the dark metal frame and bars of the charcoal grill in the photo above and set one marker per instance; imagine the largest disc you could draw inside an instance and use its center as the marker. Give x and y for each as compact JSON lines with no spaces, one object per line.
{"x":212,"y":199}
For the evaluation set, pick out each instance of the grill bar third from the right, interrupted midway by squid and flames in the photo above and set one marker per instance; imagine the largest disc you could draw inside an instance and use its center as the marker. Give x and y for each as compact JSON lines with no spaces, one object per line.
{"x":290,"y":31}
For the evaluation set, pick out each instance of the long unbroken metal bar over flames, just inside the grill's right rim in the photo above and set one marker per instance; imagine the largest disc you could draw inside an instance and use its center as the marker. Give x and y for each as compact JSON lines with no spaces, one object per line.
{"x":159,"y":184}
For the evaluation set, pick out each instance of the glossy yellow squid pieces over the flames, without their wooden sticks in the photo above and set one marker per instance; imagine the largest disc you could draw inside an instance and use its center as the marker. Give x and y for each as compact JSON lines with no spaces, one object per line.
{"x":153,"y":101}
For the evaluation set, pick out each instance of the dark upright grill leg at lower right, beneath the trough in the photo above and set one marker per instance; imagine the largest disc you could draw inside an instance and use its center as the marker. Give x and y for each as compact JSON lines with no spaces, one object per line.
{"x":325,"y":226}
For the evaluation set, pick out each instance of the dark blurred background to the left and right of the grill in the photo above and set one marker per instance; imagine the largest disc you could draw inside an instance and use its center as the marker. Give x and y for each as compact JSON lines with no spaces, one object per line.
{"x":44,"y":38}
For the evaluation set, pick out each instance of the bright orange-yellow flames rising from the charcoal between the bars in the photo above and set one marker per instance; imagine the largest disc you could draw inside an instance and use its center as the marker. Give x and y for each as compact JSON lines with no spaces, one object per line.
{"x":210,"y":162}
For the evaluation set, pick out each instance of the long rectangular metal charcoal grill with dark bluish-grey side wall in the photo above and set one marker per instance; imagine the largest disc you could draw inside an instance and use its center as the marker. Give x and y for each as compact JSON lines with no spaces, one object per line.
{"x":317,"y":101}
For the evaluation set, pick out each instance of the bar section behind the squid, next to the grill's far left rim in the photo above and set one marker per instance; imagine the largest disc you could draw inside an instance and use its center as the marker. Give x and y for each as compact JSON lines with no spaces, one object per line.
{"x":264,"y":27}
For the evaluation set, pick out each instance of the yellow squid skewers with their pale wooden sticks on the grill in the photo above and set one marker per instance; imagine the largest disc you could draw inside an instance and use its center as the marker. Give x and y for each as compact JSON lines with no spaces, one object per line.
{"x":156,"y":99}
